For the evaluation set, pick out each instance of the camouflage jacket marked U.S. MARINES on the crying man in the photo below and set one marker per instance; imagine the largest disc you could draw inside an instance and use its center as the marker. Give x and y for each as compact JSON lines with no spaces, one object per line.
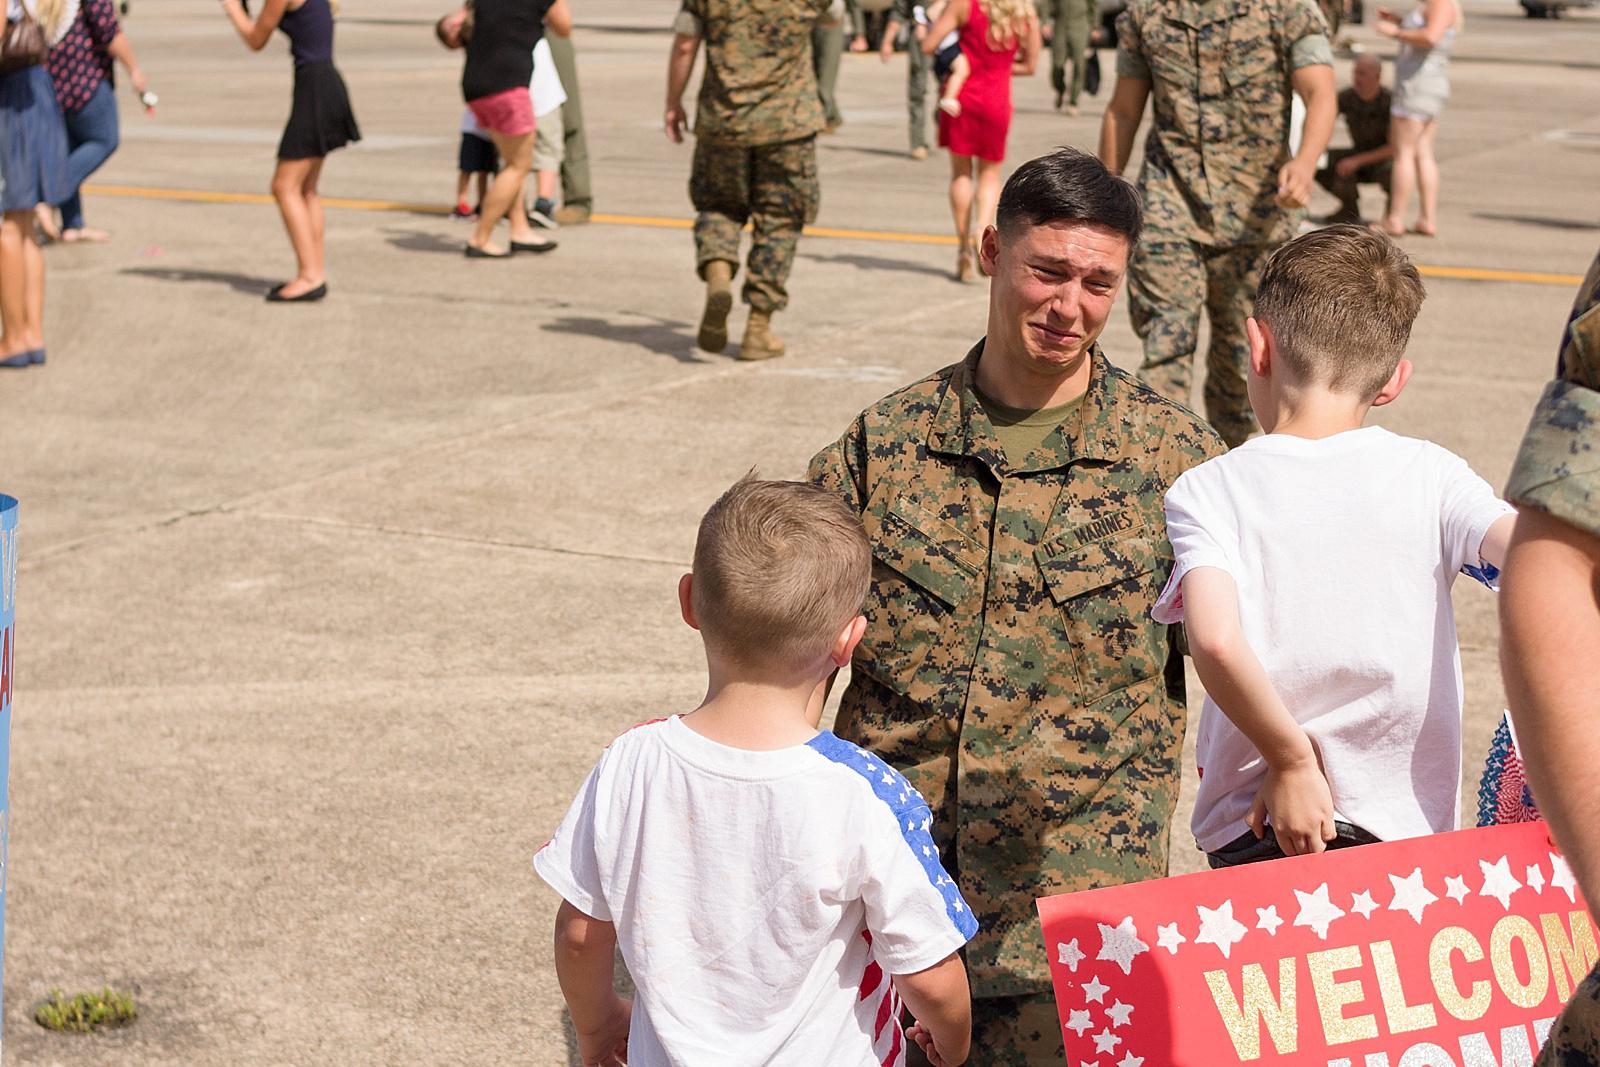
{"x":1010,"y":668}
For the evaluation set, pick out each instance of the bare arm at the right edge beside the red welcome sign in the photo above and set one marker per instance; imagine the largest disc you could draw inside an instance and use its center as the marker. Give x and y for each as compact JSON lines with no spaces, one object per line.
{"x":1550,"y":610}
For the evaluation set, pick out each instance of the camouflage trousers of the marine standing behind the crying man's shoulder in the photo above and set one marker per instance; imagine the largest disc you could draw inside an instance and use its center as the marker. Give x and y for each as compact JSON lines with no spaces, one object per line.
{"x":1169,"y":286}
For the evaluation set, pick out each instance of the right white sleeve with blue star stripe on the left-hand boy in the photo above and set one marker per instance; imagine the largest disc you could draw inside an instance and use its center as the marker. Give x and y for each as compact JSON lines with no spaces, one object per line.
{"x":914,"y":909}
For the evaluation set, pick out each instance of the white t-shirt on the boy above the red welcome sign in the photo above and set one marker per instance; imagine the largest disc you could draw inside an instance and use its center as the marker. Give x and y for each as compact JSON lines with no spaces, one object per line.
{"x":1343,"y":551}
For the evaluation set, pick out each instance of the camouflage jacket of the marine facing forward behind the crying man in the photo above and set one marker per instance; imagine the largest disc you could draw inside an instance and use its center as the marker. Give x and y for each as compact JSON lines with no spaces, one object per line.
{"x":1220,"y":113}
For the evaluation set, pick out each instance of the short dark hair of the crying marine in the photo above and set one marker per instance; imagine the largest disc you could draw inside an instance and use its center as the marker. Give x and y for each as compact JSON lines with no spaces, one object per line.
{"x":1070,"y":186}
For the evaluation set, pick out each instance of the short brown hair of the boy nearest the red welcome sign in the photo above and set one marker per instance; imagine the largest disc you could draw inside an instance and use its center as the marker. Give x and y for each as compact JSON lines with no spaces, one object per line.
{"x":1340,"y":303}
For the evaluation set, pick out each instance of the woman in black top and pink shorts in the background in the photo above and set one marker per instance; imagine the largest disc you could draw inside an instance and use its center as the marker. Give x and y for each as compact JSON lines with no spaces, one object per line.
{"x":495,"y":86}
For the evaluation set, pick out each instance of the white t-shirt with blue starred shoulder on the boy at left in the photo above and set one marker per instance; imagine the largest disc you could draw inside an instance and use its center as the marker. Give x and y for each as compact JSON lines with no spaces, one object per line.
{"x":761,"y":898}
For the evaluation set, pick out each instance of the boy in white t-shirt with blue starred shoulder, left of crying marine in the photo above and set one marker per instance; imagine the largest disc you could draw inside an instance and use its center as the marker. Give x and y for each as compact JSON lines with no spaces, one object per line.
{"x":775,"y":890}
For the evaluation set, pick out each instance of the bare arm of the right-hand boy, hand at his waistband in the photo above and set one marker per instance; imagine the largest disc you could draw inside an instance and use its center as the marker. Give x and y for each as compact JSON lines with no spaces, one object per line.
{"x":1295,"y":793}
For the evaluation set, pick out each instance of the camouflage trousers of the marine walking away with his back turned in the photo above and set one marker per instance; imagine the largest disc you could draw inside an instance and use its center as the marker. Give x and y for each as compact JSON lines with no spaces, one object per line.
{"x":772,"y":186}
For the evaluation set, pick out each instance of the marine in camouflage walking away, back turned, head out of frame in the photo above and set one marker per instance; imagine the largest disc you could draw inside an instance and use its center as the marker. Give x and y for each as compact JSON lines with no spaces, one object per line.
{"x":754,"y":135}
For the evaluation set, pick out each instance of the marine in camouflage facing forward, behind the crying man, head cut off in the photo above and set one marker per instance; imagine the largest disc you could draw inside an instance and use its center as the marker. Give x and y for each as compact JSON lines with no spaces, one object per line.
{"x":1218,"y":74}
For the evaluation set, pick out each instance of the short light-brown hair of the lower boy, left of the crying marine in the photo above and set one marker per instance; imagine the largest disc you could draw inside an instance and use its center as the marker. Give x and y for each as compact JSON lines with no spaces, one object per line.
{"x":780,"y":569}
